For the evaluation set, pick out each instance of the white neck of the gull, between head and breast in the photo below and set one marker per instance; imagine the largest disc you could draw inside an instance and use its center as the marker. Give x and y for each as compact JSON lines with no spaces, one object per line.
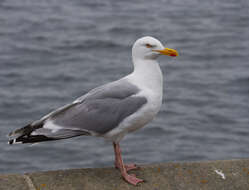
{"x":147,"y":74}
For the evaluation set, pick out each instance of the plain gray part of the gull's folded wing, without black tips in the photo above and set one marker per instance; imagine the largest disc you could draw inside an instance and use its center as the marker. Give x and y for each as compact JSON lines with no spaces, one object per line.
{"x":101,"y":110}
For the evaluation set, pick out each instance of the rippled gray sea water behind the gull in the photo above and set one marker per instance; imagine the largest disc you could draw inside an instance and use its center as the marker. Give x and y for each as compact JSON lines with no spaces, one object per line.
{"x":52,"y":52}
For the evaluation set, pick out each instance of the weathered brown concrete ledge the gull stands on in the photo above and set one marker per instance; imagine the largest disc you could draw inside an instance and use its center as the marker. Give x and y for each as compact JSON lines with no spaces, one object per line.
{"x":211,"y":175}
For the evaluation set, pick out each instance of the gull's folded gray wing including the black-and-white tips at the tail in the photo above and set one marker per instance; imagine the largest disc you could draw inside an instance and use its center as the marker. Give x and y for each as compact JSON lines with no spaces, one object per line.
{"x":96,"y":113}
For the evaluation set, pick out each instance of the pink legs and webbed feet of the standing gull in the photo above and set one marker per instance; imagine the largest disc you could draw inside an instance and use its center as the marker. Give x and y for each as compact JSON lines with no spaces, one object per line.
{"x":120,"y":164}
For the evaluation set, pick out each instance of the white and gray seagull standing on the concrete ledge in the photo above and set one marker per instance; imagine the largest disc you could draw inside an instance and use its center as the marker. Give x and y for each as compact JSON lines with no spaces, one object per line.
{"x":111,"y":110}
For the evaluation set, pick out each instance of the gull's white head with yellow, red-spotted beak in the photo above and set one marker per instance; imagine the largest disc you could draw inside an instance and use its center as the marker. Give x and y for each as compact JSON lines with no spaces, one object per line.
{"x":150,"y":48}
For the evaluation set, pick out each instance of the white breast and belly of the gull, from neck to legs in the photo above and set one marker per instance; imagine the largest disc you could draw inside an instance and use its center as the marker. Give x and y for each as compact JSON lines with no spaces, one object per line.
{"x":149,"y":81}
